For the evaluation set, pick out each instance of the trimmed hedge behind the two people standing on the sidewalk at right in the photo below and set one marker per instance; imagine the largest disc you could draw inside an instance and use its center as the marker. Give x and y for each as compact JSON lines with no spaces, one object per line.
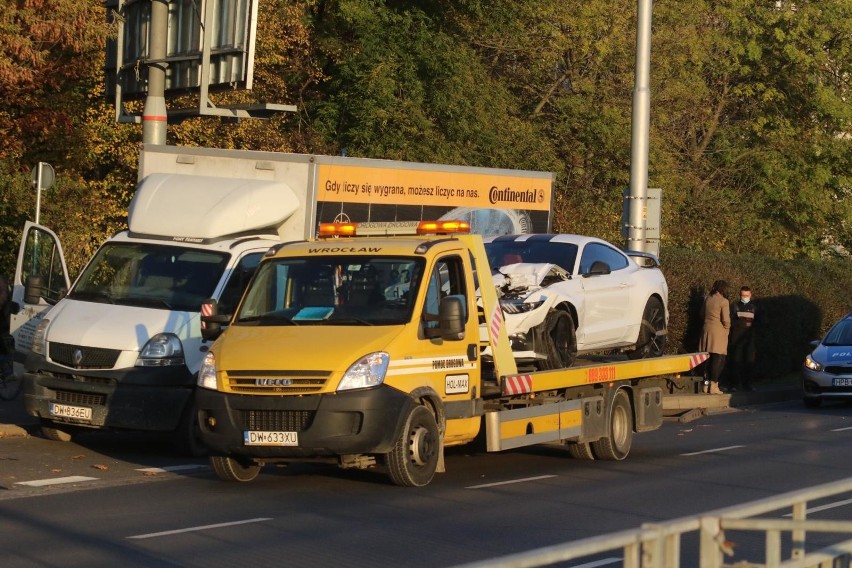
{"x":797,"y":301}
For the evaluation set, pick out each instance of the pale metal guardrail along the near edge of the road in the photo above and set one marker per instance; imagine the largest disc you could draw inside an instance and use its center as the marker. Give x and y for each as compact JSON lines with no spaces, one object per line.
{"x":659,"y":545}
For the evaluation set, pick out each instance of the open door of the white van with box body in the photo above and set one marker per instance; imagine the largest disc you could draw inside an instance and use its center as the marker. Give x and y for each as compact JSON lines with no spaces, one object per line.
{"x":41,"y":280}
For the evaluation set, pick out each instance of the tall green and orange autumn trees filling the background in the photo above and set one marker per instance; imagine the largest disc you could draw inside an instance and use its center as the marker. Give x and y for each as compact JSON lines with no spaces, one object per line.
{"x":751,"y":120}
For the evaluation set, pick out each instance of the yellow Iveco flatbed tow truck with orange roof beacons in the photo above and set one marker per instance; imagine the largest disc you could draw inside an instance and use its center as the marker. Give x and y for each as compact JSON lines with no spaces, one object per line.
{"x":381,"y":344}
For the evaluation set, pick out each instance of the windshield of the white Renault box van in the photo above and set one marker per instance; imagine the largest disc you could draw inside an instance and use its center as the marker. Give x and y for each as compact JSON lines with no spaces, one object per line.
{"x":151,"y":276}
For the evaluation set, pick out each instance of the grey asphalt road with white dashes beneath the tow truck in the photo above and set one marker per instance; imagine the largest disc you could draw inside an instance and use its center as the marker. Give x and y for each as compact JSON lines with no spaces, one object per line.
{"x":116,"y":510}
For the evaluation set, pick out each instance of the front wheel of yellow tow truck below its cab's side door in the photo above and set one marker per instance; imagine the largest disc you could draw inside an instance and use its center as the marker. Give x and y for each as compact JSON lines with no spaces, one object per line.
{"x":414,"y":458}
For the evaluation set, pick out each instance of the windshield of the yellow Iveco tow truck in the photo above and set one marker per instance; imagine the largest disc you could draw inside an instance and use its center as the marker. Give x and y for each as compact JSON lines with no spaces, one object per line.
{"x":347,"y":290}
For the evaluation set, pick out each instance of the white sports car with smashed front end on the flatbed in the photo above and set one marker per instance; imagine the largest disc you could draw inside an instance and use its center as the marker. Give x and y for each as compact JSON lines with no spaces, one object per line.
{"x":564,"y":295}
